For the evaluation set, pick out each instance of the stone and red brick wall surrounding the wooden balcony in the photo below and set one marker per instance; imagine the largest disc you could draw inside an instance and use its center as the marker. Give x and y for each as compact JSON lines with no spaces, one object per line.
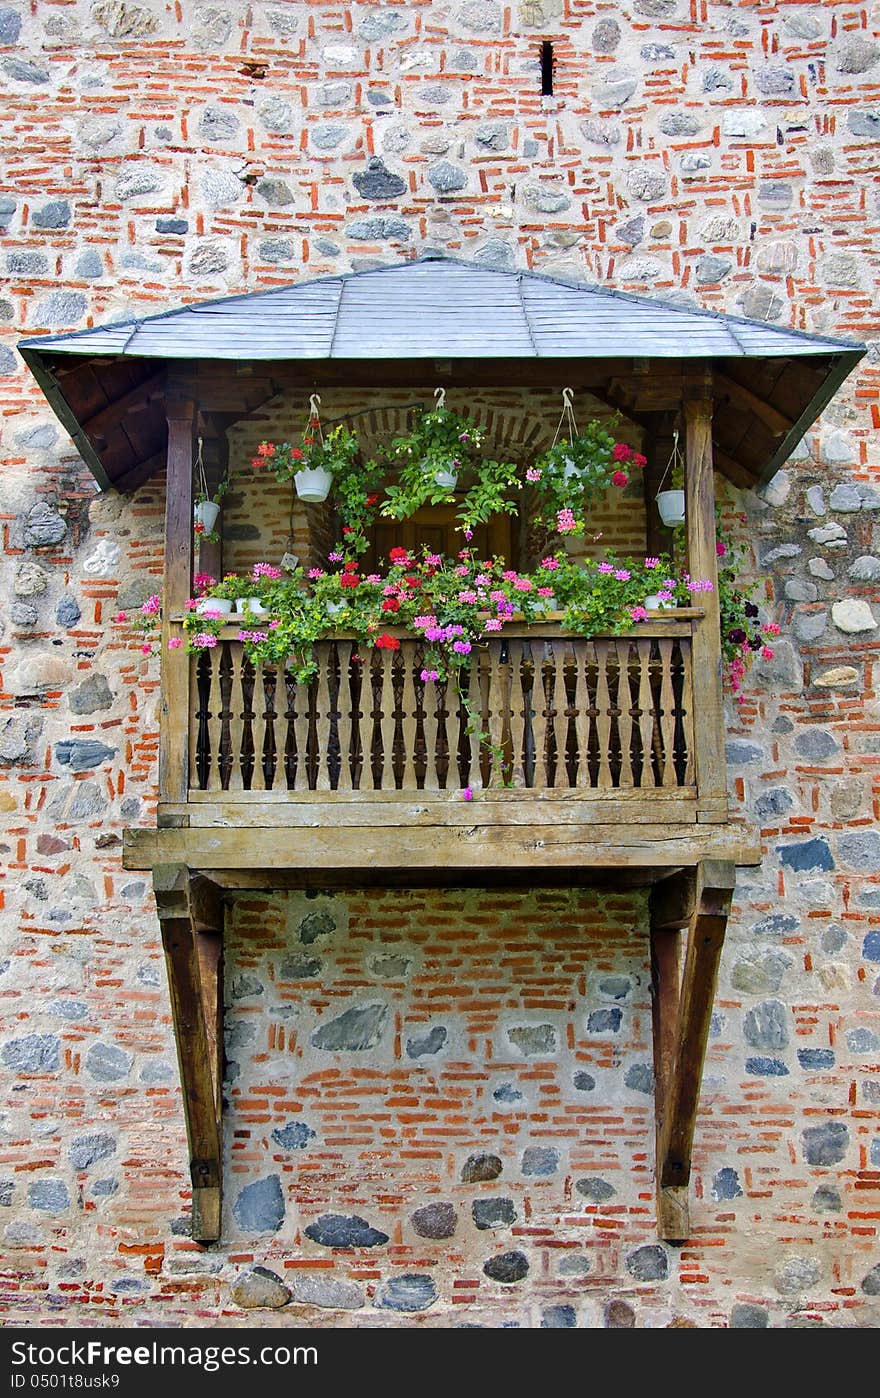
{"x":495,"y":1134}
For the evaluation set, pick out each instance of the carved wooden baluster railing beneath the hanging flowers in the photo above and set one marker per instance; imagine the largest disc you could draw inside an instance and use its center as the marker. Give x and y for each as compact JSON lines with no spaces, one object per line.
{"x":537,"y":709}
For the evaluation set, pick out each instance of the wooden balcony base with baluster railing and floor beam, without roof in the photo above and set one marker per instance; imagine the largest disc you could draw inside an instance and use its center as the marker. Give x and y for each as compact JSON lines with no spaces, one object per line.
{"x":551,"y":747}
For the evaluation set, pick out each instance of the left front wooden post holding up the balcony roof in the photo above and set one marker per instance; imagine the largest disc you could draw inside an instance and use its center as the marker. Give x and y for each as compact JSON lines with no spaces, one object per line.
{"x":174,"y":725}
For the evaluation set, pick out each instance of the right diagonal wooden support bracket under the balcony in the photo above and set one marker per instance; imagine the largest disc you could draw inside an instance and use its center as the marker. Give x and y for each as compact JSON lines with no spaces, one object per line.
{"x":700,"y":900}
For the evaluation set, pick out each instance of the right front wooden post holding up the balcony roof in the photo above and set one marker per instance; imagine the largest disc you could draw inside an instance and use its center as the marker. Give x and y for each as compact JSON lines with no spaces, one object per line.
{"x":703,"y":564}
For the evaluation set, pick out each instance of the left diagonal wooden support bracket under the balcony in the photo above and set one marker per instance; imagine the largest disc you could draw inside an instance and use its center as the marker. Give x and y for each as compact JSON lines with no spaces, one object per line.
{"x":191,"y":916}
